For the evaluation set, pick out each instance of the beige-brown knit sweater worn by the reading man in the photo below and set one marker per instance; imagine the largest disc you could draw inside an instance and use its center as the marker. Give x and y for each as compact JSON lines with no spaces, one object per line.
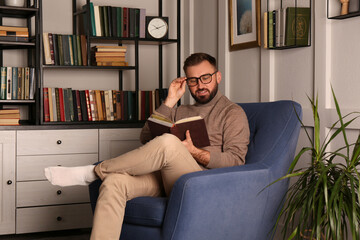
{"x":227,"y":127}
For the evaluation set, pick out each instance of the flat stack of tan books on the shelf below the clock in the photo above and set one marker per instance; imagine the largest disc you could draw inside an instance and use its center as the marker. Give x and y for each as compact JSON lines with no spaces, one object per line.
{"x":109,"y":55}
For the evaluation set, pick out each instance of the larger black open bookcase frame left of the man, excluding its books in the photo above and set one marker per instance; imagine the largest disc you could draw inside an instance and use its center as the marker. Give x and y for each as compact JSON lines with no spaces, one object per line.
{"x":117,"y":41}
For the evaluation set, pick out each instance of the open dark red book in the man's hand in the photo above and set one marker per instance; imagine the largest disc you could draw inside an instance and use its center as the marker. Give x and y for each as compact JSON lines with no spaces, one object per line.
{"x":196,"y":125}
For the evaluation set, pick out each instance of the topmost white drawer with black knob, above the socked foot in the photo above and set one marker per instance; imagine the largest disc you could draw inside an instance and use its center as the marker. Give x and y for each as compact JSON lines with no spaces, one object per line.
{"x":57,"y":142}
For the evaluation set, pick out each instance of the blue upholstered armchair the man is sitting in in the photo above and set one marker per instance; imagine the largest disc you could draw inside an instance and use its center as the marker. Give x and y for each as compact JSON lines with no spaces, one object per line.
{"x":225,"y":203}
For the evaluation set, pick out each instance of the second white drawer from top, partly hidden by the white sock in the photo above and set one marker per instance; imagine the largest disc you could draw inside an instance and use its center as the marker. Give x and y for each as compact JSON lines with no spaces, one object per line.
{"x":32,"y":167}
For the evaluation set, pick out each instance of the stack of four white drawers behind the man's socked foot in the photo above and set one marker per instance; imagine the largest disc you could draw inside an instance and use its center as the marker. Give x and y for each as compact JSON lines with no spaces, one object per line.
{"x":41,"y":206}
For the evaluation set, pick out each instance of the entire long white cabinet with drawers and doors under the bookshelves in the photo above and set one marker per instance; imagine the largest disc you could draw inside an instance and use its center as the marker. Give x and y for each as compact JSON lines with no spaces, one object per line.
{"x":28,"y":202}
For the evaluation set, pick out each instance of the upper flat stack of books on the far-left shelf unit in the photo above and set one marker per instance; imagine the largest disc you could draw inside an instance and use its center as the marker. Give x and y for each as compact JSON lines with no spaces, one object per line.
{"x":12,"y":33}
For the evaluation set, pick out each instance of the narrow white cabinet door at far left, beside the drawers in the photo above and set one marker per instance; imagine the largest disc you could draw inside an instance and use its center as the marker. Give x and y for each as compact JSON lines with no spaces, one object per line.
{"x":7,"y":181}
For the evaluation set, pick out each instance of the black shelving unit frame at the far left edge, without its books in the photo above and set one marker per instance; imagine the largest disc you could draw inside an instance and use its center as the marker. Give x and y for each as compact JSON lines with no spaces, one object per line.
{"x":29,"y":108}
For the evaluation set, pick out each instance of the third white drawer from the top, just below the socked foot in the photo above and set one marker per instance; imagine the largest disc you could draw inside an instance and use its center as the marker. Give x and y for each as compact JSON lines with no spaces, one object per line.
{"x":30,"y":194}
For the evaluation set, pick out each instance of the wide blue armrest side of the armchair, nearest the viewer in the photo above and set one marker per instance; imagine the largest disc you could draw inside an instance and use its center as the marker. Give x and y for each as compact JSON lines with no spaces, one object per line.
{"x":205,"y":205}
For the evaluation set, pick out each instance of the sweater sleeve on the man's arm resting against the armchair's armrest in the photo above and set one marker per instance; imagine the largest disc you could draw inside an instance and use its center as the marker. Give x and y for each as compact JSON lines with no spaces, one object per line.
{"x":236,"y":136}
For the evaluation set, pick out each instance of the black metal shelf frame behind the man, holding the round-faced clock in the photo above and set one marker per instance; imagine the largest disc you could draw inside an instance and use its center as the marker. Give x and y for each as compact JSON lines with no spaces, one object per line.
{"x":114,"y":40}
